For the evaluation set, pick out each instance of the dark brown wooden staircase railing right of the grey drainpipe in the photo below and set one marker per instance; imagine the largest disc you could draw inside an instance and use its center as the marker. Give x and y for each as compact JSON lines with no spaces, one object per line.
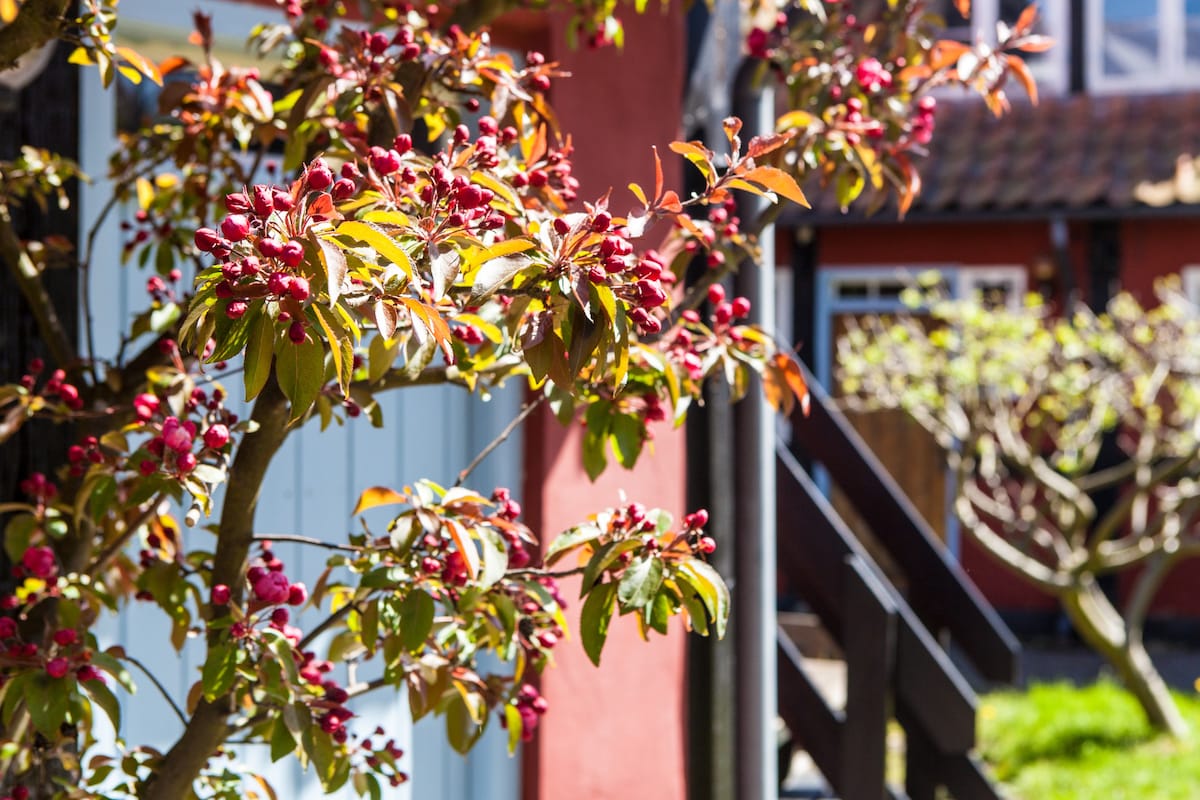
{"x":895,"y":647}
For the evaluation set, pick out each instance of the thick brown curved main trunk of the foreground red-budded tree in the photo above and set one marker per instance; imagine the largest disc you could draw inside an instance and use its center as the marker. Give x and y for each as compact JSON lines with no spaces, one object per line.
{"x":207,"y":729}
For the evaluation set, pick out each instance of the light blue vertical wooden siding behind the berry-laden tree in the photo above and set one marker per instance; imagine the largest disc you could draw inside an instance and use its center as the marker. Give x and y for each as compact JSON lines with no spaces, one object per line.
{"x":310,"y":491}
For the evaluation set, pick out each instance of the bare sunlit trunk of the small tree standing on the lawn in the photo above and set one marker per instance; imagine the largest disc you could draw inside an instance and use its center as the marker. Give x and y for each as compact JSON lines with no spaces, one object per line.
{"x":1103,"y":628}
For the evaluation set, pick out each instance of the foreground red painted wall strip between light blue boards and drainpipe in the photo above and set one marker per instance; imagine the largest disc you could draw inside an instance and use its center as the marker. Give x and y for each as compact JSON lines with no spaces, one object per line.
{"x":616,"y":732}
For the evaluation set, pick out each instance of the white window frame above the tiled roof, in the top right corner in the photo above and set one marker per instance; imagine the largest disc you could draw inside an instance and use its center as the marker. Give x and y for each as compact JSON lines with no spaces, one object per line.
{"x":1169,"y":75}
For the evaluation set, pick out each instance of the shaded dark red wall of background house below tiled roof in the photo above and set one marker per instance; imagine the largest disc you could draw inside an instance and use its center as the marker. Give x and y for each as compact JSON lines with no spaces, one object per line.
{"x":1150,"y":249}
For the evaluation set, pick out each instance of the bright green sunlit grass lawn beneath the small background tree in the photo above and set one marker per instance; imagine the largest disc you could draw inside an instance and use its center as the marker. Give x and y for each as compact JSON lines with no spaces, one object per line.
{"x":1057,"y":742}
